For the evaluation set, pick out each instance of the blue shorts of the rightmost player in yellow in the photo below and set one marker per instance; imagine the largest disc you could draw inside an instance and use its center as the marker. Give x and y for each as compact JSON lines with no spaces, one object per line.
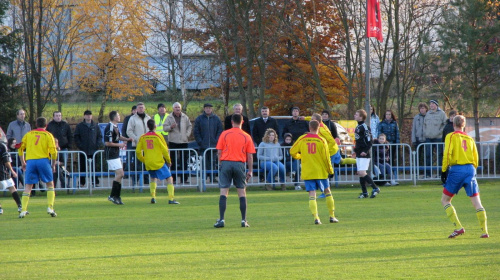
{"x":461,"y":176}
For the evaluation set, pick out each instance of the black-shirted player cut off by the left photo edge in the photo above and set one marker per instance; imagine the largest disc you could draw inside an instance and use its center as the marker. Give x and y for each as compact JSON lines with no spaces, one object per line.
{"x":6,"y":181}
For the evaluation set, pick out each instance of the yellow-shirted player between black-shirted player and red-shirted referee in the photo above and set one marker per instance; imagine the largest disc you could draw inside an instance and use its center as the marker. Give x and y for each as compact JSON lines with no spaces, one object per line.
{"x":153,"y":152}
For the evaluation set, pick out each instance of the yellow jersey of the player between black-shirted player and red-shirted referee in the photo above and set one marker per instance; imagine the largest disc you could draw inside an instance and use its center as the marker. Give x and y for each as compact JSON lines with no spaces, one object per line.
{"x":152,"y":150}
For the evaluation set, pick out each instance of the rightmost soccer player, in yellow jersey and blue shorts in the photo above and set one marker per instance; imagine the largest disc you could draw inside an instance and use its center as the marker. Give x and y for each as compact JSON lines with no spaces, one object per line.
{"x":460,"y":155}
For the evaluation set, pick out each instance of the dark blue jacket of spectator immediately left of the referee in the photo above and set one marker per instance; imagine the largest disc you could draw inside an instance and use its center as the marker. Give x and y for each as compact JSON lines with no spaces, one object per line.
{"x":207,"y":130}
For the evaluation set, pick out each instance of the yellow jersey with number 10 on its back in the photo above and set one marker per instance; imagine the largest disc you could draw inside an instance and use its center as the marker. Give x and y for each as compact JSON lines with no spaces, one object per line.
{"x":312,"y":150}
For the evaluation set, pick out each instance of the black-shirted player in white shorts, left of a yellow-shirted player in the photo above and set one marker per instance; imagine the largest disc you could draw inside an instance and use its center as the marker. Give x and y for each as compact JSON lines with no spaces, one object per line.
{"x":112,"y":138}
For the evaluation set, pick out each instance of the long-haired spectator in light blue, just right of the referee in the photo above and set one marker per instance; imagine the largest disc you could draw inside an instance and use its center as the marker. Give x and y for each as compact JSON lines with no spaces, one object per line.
{"x":270,"y":156}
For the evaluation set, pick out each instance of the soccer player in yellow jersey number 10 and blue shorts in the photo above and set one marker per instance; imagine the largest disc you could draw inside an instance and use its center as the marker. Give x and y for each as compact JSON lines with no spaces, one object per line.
{"x":313,"y":152}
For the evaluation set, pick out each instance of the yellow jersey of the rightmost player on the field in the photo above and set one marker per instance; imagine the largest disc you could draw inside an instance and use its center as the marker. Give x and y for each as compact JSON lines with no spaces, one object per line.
{"x":459,"y":149}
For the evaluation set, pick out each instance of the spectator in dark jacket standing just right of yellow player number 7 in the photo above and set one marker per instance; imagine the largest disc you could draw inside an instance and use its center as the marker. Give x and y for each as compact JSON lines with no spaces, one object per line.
{"x":62,"y":133}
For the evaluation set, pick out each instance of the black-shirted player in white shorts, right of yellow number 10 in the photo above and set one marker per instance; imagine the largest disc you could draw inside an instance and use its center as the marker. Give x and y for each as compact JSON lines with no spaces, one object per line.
{"x":362,"y":148}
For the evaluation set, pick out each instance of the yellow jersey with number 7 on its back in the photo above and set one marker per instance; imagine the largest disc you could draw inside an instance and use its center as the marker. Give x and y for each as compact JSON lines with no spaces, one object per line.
{"x":38,"y":143}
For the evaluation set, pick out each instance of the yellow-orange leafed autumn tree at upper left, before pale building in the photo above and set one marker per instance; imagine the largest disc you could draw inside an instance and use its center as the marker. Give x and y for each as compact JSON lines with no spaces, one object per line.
{"x":111,"y":61}
